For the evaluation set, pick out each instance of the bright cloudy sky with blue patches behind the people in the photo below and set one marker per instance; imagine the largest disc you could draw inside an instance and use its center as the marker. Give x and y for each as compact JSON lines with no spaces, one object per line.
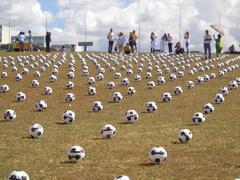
{"x":66,"y":19}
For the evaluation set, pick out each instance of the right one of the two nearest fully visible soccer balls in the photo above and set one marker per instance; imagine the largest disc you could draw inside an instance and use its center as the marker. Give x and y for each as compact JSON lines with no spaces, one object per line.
{"x":157,"y":155}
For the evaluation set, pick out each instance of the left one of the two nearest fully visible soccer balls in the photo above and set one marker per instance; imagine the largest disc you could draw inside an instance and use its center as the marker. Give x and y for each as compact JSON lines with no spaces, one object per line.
{"x":76,"y":153}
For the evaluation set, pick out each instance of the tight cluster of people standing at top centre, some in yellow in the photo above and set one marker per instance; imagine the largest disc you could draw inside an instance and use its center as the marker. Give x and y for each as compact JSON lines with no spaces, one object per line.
{"x":120,"y":43}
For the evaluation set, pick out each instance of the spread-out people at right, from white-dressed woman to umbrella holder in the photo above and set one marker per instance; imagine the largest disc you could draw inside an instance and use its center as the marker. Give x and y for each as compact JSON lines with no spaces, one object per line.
{"x":167,"y":39}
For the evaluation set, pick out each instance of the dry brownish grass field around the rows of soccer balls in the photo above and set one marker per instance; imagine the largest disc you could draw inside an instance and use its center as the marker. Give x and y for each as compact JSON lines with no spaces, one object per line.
{"x":213,"y":152}
